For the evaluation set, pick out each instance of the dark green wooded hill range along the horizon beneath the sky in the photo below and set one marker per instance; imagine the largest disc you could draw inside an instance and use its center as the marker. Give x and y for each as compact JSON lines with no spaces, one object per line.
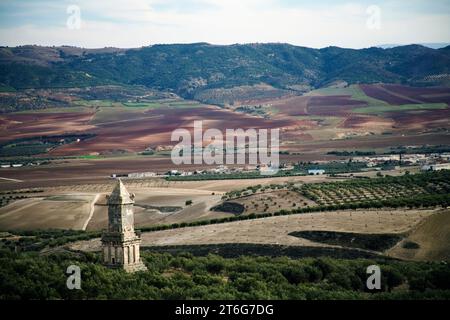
{"x":190,"y":69}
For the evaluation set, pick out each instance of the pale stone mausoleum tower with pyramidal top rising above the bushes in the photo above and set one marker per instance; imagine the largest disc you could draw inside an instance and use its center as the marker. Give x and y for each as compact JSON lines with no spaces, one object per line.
{"x":120,"y":242}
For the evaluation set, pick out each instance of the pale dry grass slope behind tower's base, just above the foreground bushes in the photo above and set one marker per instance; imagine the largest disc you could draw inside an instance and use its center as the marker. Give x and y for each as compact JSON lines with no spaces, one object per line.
{"x":275,"y":230}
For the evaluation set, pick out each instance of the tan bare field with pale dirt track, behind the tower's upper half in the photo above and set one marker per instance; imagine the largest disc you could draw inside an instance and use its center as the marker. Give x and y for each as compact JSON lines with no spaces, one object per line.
{"x":82,"y":209}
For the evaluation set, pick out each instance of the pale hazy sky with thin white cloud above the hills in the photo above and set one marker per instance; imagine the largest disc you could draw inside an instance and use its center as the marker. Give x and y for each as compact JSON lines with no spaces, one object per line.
{"x":135,"y":23}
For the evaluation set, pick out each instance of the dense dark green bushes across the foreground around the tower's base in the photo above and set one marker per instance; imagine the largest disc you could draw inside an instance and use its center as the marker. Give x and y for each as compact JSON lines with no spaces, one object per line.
{"x":183,"y":276}
